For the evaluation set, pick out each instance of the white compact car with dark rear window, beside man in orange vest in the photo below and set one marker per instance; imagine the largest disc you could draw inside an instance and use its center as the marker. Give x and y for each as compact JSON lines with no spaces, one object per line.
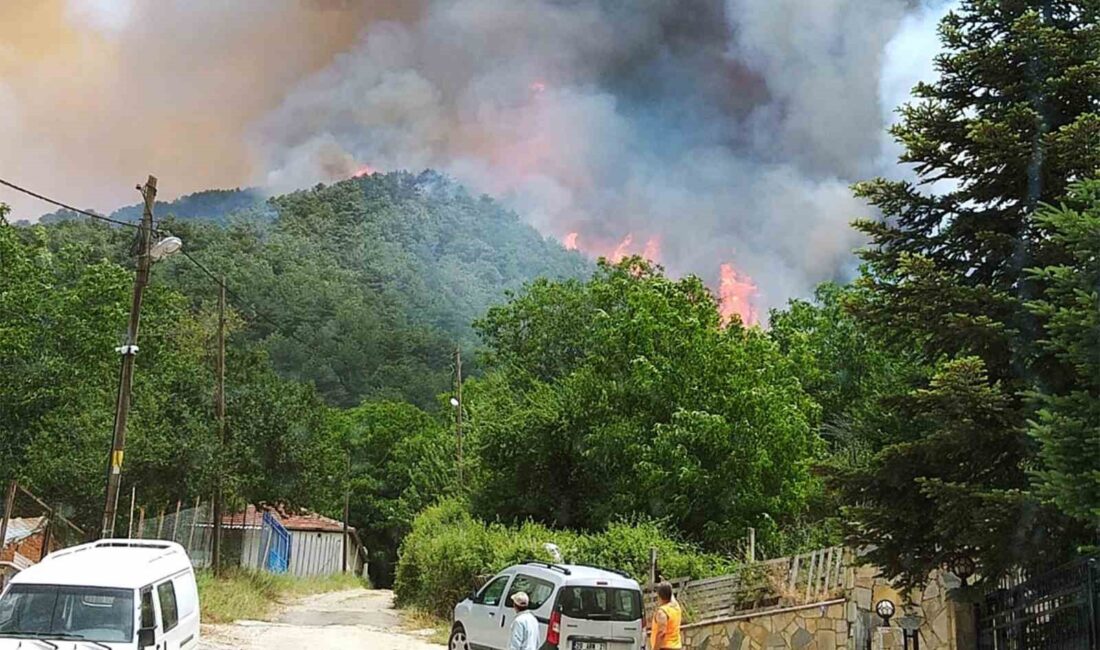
{"x":578,"y":609}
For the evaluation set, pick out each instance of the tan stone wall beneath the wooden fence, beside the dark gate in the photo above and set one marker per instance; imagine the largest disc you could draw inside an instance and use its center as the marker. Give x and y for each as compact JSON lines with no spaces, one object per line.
{"x":849,"y":623}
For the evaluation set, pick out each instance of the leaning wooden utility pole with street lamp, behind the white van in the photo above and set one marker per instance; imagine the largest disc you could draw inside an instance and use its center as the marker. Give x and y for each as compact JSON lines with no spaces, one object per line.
{"x":129,"y":352}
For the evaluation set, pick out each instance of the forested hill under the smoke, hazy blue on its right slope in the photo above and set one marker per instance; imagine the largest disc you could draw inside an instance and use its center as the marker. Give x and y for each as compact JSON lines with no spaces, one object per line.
{"x":364,"y":288}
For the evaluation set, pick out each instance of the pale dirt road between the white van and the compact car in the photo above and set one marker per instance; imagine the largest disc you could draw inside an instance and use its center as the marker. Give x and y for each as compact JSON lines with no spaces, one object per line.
{"x":357,"y":619}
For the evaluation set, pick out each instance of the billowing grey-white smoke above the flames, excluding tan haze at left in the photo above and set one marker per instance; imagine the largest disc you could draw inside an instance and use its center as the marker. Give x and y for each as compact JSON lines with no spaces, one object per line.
{"x":729,"y":131}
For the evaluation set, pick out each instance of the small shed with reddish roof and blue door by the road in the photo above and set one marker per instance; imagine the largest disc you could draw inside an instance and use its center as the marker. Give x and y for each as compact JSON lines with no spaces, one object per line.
{"x":316,"y":543}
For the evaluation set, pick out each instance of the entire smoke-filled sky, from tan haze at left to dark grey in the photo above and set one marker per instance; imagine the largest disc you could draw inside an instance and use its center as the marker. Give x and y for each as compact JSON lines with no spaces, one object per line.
{"x":708,"y":133}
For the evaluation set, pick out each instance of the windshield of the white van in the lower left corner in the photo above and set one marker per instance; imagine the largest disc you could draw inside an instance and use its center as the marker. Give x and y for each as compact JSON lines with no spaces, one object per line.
{"x":49,"y":612}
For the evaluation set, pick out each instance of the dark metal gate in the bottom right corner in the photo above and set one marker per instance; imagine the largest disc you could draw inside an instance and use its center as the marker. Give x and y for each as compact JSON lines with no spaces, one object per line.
{"x":1058,"y":611}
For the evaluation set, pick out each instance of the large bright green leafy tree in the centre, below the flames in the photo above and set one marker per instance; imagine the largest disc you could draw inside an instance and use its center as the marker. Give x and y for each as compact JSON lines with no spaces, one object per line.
{"x":625,"y":395}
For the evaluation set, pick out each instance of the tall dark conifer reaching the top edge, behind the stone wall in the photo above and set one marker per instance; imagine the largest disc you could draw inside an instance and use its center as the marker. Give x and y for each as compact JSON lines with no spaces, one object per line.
{"x":1009,"y":125}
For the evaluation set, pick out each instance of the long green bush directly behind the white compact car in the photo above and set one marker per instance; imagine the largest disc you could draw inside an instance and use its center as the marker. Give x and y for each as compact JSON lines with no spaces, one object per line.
{"x":450,"y":554}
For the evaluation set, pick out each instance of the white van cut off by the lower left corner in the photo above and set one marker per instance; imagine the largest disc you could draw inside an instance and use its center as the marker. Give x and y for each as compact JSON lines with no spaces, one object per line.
{"x":115,"y":594}
